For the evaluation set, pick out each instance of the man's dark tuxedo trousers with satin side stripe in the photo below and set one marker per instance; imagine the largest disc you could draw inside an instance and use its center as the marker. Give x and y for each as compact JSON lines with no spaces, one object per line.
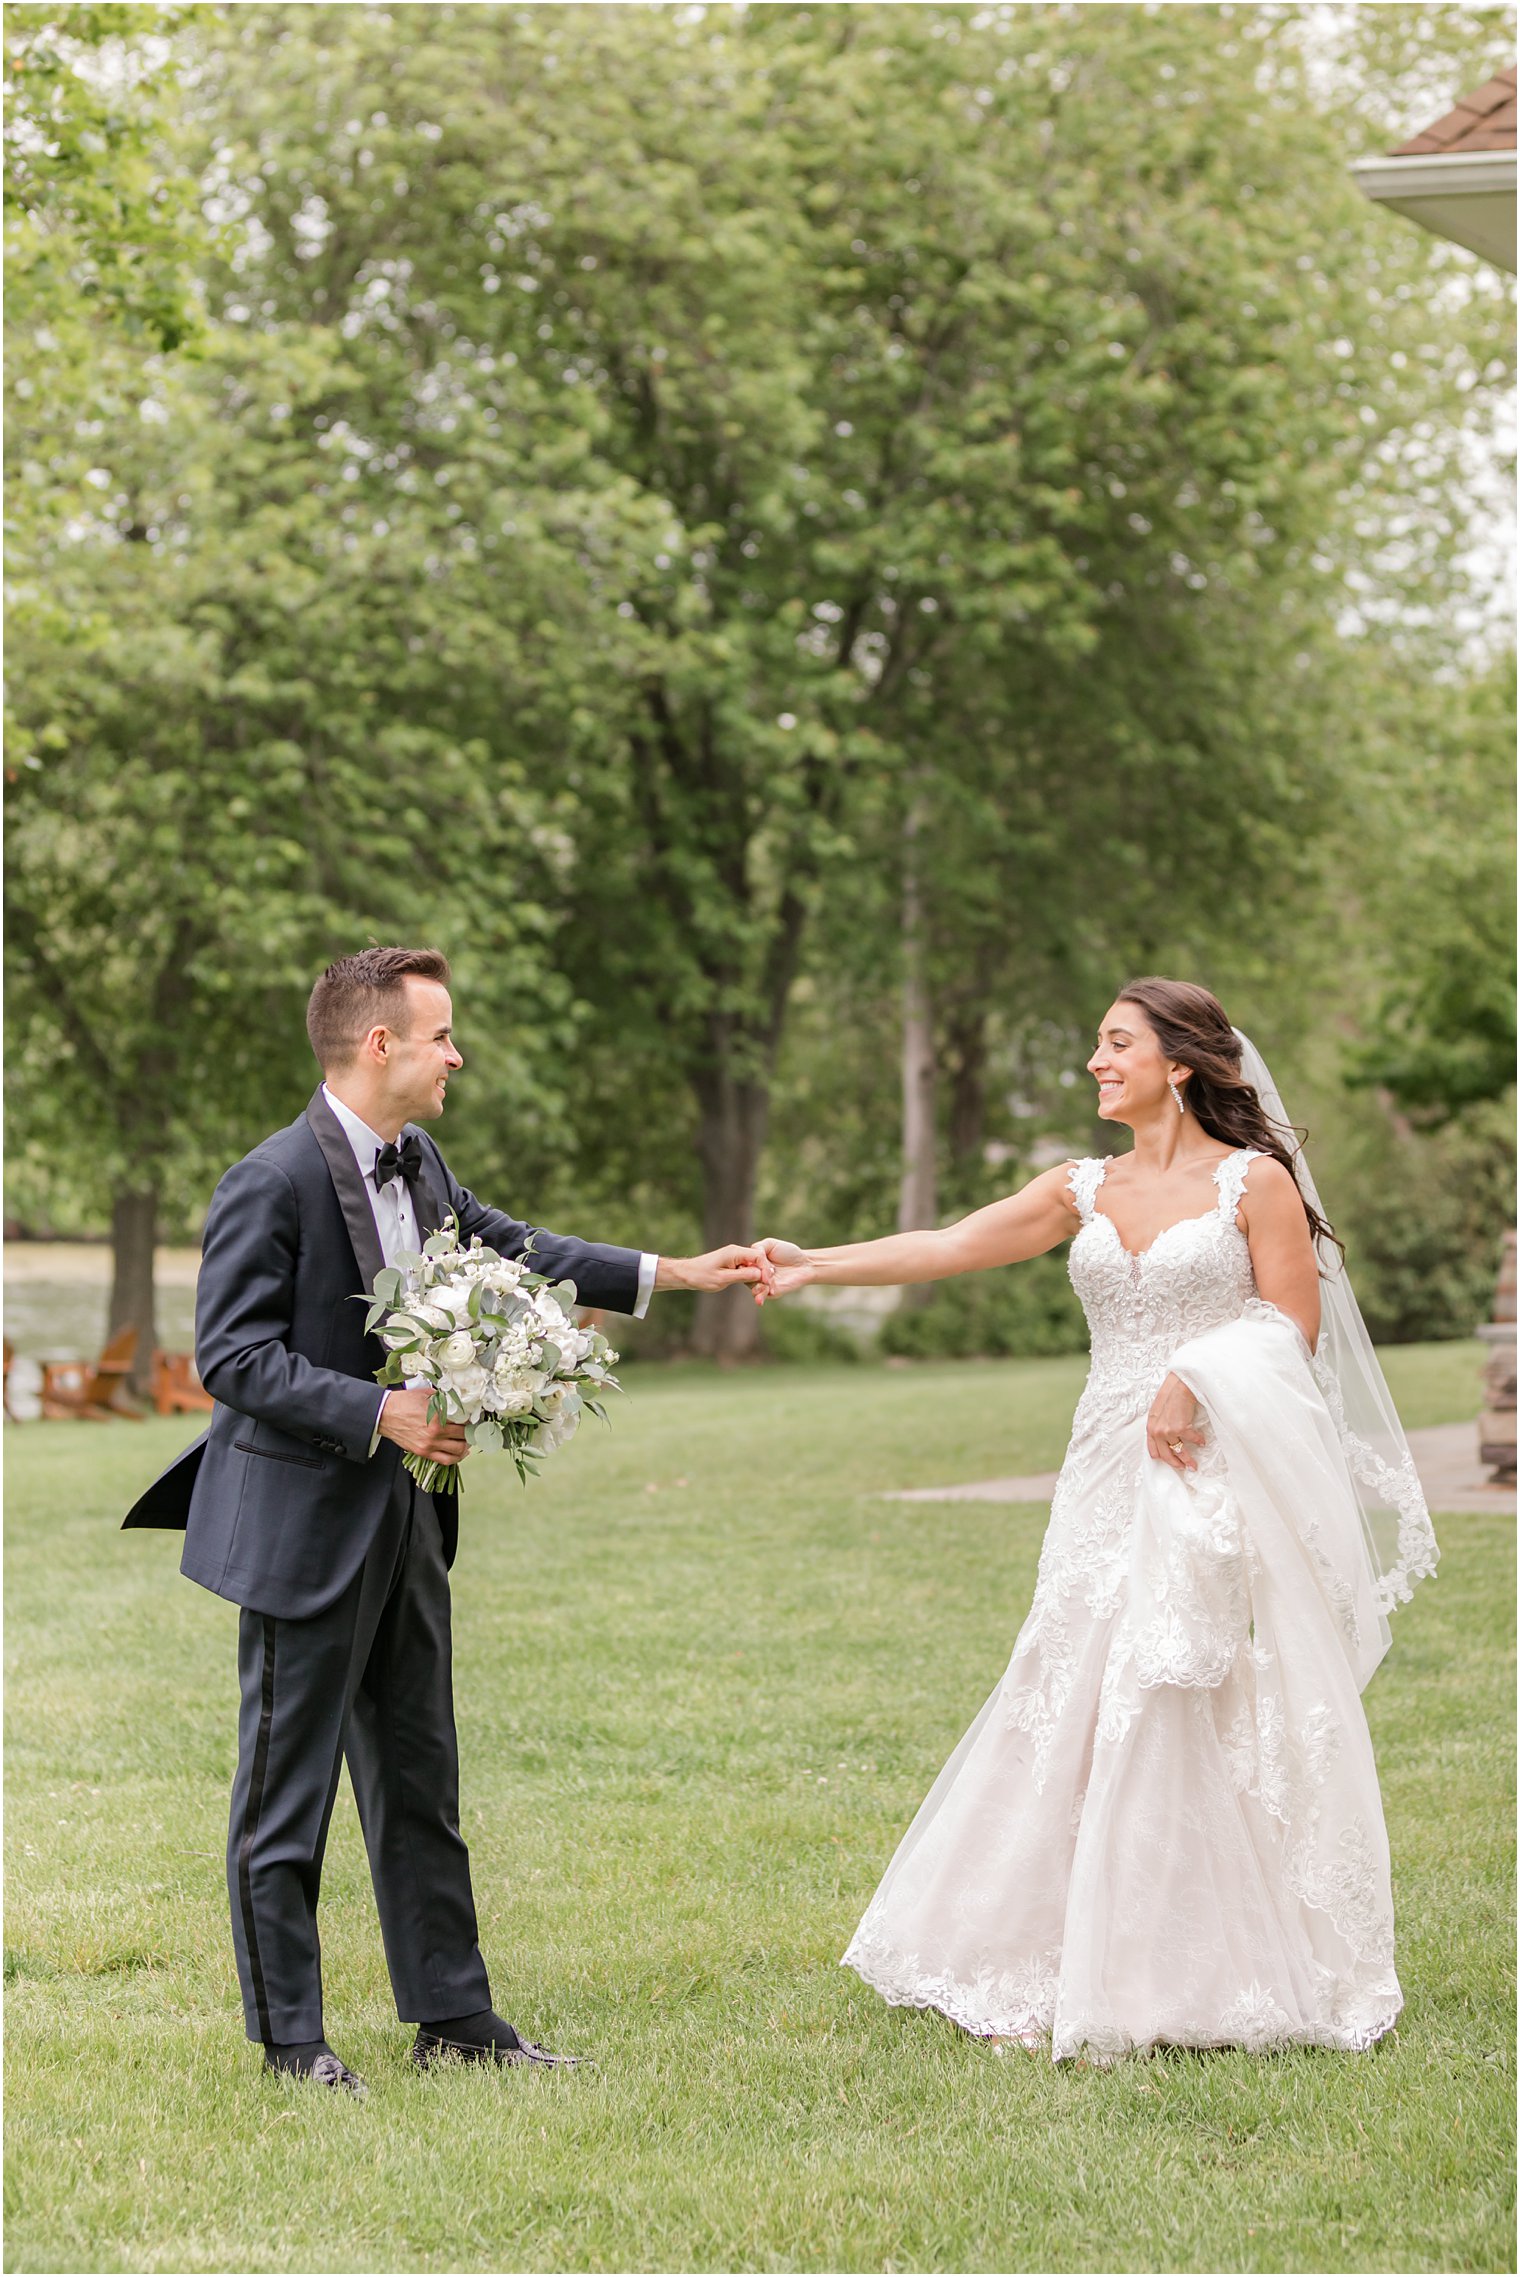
{"x":372,"y":1682}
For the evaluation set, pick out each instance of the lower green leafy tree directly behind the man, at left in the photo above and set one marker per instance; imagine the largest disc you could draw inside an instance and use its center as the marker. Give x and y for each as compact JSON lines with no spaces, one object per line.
{"x":240,"y":746}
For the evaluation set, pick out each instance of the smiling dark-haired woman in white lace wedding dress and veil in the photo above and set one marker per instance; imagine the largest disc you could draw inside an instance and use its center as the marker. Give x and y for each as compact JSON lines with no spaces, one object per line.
{"x":1166,"y":1825}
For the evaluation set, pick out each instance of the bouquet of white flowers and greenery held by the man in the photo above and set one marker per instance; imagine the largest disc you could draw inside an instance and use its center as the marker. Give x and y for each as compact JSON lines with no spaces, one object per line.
{"x":497,"y":1345}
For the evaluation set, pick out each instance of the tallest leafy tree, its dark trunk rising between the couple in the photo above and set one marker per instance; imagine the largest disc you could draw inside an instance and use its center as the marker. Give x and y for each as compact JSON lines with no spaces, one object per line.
{"x":845,"y":361}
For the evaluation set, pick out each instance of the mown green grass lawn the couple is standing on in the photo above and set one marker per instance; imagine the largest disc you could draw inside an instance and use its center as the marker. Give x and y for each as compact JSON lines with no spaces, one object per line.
{"x":704,"y":1679}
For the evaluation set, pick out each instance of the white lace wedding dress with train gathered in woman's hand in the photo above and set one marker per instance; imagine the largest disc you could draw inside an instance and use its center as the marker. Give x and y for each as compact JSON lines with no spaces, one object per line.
{"x":1166,"y":1825}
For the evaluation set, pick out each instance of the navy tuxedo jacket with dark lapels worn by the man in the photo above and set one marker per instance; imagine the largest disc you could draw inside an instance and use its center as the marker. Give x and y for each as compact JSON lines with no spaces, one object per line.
{"x":281,"y":1497}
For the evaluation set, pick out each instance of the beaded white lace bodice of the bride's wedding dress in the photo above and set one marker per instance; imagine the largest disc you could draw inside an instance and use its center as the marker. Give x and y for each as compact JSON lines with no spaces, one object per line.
{"x":1191,"y":1279}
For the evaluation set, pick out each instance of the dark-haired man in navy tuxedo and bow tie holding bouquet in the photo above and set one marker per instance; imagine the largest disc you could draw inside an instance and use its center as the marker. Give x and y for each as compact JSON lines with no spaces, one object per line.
{"x":299,"y":1511}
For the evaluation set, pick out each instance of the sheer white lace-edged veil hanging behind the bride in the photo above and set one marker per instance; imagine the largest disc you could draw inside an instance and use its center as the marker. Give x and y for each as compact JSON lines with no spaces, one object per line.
{"x":1396,"y":1522}
